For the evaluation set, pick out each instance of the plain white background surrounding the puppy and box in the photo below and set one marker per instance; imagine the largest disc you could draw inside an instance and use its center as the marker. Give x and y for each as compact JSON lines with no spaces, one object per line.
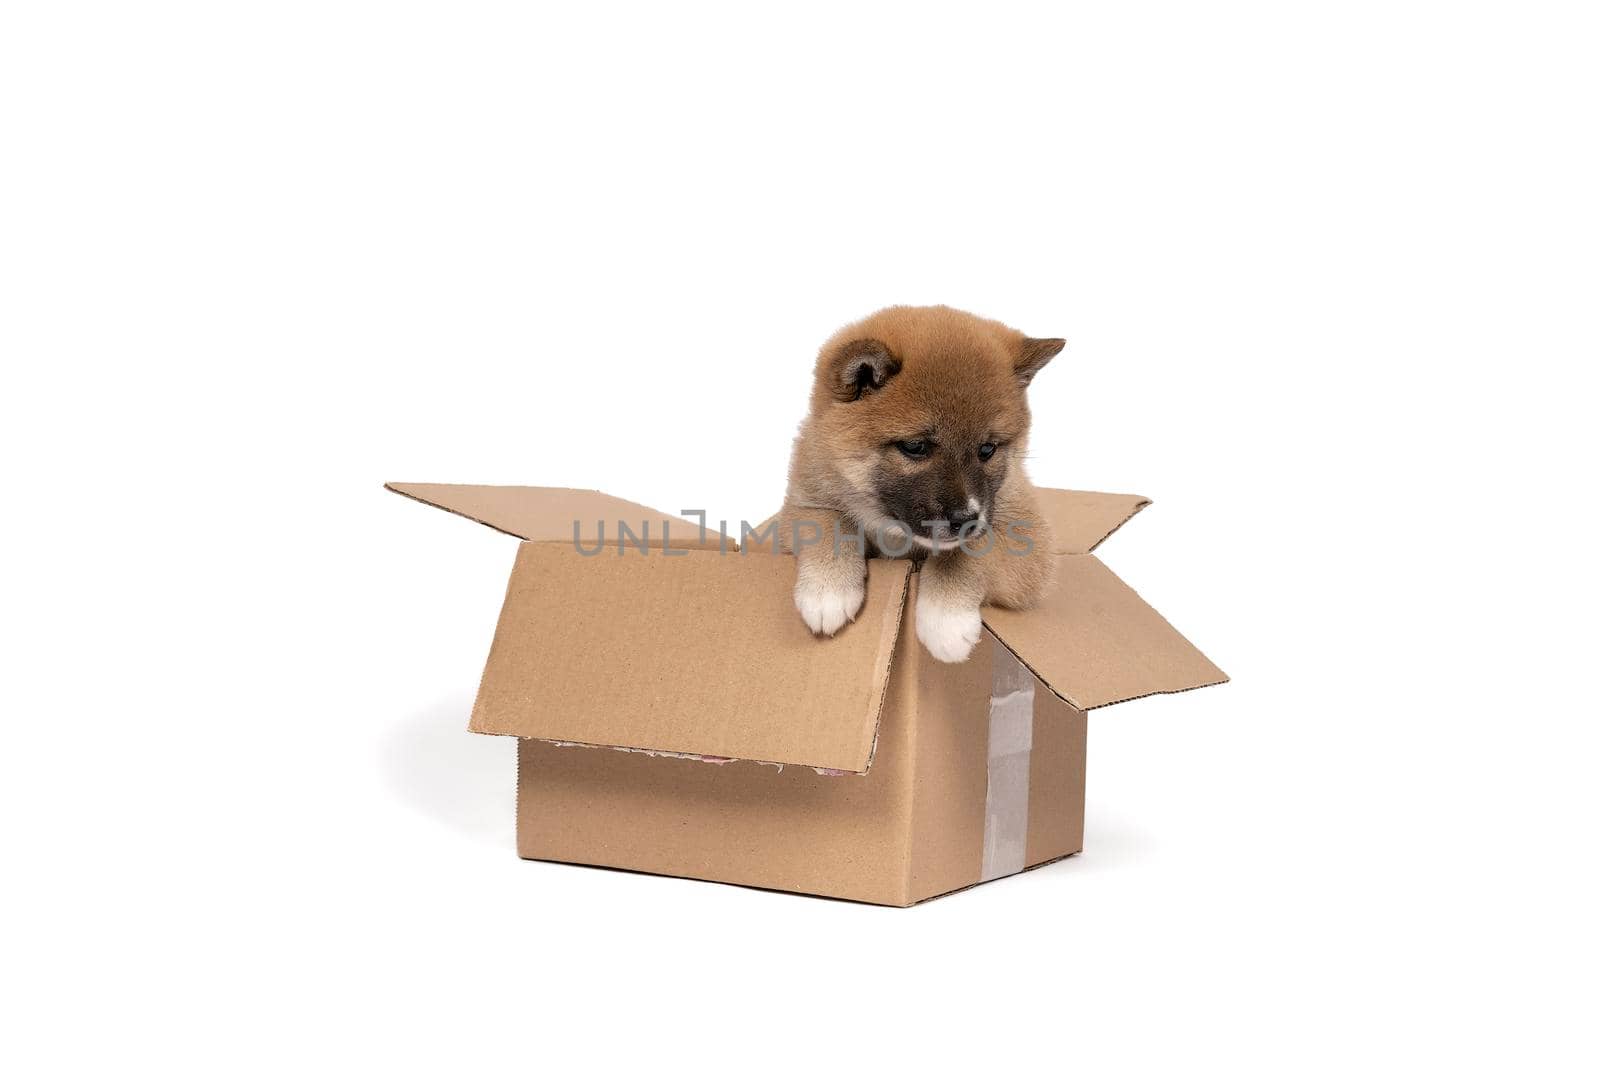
{"x":1329,"y":274}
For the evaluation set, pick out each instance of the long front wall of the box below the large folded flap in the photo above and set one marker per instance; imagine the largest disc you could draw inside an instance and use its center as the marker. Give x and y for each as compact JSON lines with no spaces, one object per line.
{"x":742,"y":823}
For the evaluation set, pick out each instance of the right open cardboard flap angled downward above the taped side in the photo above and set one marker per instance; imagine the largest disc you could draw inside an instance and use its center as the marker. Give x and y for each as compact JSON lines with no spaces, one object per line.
{"x":1095,"y":642}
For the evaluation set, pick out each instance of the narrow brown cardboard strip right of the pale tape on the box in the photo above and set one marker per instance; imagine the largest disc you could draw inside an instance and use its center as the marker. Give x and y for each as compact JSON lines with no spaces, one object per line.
{"x":1055,"y":785}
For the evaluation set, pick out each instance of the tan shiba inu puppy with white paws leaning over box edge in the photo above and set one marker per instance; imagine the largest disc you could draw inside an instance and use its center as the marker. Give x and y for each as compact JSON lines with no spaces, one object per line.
{"x":914,"y":449}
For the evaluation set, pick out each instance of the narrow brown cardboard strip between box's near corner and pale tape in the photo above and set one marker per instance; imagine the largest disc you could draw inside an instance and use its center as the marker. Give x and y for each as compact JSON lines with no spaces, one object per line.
{"x":951,"y":775}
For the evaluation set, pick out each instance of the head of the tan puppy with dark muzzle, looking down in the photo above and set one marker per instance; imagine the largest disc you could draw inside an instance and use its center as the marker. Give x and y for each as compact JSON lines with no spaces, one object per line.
{"x":922,"y":414}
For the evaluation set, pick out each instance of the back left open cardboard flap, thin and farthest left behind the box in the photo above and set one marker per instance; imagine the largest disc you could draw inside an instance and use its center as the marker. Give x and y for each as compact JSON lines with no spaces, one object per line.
{"x":548,"y":514}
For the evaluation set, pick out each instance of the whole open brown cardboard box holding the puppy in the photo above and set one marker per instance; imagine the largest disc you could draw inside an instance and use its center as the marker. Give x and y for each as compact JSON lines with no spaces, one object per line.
{"x":678,"y":717}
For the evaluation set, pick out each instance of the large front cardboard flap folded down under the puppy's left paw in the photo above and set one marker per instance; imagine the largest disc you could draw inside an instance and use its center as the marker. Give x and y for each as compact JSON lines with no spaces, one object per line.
{"x":695,"y":655}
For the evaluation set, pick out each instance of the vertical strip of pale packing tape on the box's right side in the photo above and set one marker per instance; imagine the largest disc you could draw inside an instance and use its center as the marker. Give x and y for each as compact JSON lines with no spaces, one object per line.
{"x":1010,"y":754}
